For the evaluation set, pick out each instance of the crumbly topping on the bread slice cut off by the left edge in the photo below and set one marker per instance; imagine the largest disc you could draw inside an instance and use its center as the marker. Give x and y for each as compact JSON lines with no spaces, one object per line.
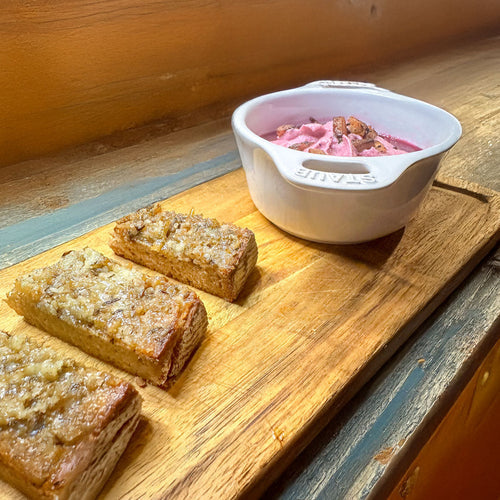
{"x":47,"y":405}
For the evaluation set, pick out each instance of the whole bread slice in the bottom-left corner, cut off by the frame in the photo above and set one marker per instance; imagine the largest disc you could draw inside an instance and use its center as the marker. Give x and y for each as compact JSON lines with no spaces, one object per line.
{"x":62,"y":427}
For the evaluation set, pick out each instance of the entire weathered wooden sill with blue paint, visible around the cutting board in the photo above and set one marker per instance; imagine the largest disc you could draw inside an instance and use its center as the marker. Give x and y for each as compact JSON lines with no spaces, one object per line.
{"x":55,"y":198}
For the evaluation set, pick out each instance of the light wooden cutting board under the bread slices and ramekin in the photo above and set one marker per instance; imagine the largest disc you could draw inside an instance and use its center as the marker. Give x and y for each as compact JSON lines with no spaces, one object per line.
{"x":312,"y":325}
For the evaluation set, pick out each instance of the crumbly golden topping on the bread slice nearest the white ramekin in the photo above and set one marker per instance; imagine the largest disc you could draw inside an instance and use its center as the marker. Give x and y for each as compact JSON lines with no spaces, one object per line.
{"x":205,"y":242}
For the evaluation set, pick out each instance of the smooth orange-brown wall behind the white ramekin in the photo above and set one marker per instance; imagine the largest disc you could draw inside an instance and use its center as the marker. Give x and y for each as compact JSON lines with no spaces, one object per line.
{"x":72,"y":71}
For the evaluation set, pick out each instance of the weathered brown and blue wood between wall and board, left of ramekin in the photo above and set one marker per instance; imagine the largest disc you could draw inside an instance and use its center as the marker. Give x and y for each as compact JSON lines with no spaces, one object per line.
{"x":85,"y":188}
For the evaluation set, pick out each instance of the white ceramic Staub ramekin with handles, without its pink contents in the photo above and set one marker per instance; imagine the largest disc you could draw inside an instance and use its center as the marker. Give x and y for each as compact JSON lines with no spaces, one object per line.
{"x":336,"y":199}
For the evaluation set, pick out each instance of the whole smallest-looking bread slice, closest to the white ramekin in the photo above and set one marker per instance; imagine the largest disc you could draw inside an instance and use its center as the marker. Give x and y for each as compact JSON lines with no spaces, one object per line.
{"x":201,"y":252}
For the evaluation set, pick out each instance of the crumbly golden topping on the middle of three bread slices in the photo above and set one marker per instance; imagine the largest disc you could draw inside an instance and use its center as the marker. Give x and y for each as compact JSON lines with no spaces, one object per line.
{"x":116,"y":302}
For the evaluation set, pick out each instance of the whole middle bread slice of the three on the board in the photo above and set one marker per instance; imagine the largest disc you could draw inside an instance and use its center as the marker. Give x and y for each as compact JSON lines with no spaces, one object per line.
{"x":146,"y":325}
